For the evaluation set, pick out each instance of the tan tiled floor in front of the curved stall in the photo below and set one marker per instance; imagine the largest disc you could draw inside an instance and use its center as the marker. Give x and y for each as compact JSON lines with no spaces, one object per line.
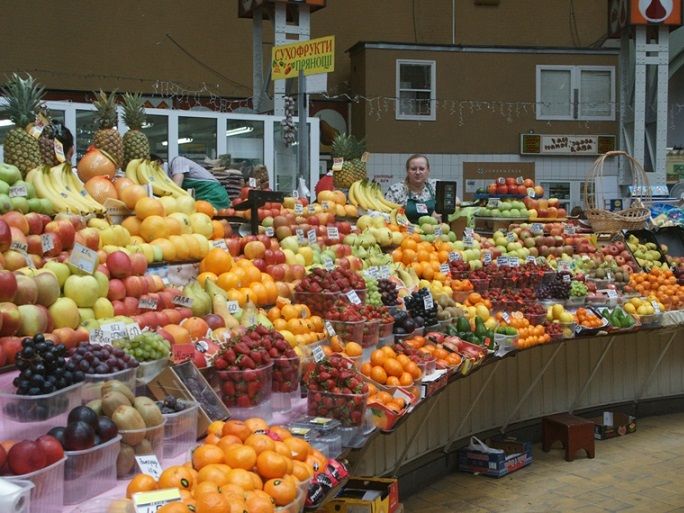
{"x":639,"y":473}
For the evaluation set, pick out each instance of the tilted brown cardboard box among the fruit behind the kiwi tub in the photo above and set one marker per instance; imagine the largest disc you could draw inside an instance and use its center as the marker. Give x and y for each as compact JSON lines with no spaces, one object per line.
{"x":184,"y":381}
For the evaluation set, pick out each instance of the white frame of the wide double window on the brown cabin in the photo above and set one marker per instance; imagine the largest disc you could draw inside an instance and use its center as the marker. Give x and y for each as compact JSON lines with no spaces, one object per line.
{"x":575,"y":81}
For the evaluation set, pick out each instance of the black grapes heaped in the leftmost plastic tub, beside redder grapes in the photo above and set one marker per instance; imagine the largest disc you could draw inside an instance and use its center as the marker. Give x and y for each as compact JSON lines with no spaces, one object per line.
{"x":43,"y":368}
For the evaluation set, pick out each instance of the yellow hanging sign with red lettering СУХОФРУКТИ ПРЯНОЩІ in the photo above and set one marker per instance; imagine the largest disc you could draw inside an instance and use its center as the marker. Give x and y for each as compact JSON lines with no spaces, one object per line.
{"x":312,"y":57}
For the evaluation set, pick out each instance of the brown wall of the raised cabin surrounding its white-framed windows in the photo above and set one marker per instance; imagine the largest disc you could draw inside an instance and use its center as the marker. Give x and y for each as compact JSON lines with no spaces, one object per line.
{"x":461,"y":76}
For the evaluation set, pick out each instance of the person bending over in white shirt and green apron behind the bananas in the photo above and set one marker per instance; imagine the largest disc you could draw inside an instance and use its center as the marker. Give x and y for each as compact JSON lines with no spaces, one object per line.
{"x":190,"y":175}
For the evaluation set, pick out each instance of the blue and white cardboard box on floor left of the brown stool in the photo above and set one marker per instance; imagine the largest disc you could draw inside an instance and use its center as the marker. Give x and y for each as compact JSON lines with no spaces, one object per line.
{"x":516,"y":455}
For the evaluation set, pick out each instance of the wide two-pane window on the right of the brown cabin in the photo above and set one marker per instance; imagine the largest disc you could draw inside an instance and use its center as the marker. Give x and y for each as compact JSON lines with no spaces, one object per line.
{"x":576,"y":92}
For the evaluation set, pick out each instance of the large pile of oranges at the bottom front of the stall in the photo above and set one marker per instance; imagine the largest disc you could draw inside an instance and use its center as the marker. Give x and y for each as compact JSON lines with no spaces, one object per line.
{"x":238,"y":469}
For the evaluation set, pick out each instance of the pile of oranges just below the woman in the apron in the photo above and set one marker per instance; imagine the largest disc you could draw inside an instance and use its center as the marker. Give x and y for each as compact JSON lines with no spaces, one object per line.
{"x":424,"y":257}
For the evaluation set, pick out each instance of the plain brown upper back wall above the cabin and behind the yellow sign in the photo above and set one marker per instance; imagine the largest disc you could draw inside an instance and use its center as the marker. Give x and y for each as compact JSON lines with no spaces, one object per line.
{"x":85,"y":45}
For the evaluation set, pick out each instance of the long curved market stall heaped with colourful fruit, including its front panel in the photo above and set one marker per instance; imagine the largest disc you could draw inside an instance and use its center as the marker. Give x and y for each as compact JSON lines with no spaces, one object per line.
{"x":147,"y":345}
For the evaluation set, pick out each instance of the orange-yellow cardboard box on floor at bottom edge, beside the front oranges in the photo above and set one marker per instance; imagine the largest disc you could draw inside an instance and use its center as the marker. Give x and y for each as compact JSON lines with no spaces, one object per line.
{"x":366,"y":495}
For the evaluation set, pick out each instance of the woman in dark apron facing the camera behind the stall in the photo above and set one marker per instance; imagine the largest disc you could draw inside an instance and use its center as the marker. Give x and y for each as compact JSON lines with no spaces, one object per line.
{"x":417,"y":192}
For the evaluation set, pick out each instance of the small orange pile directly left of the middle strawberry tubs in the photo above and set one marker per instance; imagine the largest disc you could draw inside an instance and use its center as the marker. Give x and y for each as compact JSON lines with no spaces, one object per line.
{"x":295,"y":323}
